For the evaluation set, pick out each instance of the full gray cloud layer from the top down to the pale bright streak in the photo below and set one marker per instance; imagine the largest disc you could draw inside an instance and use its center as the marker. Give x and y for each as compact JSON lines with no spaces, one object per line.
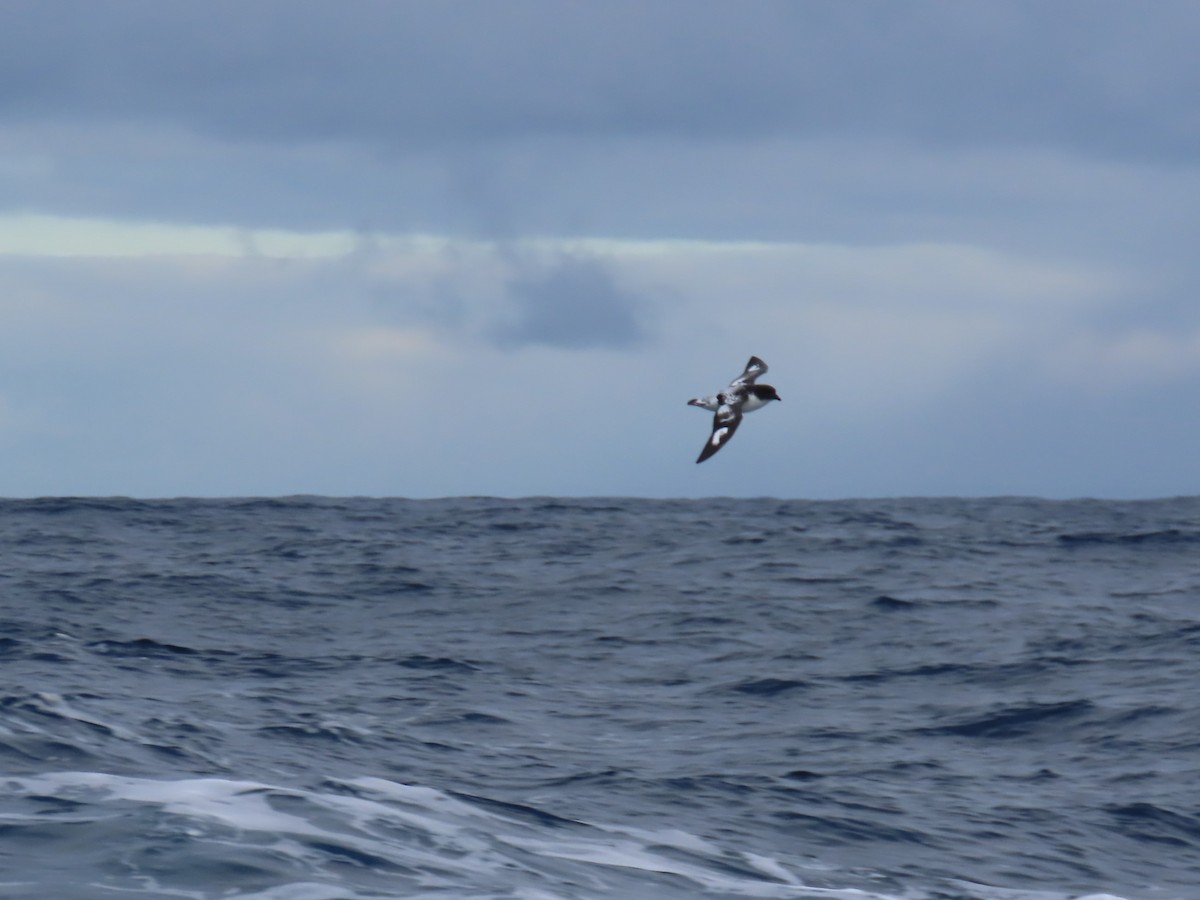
{"x":862,"y":122}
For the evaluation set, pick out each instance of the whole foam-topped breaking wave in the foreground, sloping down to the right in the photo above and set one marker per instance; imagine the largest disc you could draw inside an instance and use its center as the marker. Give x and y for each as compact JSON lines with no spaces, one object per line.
{"x":362,"y":838}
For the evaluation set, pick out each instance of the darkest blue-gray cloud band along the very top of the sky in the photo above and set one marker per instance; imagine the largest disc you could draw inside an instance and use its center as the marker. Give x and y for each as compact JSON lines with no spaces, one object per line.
{"x":1100,"y":77}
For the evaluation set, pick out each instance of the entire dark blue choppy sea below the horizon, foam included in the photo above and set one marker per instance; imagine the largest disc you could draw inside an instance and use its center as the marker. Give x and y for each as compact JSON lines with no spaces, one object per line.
{"x":311,"y":699}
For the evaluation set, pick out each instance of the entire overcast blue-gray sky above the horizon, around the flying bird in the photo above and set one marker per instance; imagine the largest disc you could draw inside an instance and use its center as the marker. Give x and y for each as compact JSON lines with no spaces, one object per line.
{"x":434,"y":249}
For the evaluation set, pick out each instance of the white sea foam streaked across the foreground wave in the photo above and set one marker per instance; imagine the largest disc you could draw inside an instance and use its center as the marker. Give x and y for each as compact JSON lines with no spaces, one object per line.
{"x":435,"y":842}
